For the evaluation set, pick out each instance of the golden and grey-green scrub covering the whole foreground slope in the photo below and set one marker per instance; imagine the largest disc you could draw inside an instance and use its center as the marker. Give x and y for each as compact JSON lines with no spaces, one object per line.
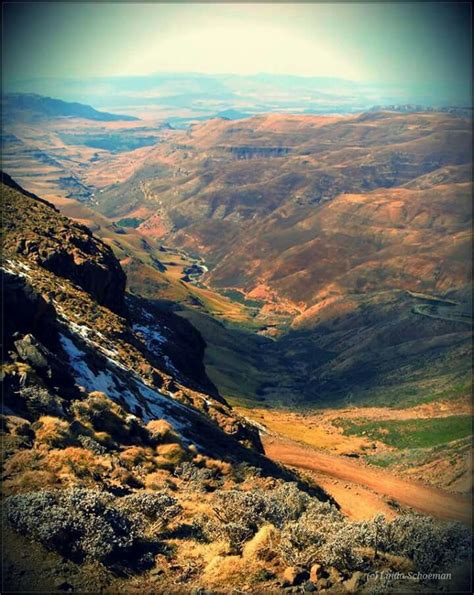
{"x":101,"y":486}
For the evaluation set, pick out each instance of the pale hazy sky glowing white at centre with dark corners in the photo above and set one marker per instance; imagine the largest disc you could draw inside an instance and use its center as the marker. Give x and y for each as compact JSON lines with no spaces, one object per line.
{"x":399,"y":43}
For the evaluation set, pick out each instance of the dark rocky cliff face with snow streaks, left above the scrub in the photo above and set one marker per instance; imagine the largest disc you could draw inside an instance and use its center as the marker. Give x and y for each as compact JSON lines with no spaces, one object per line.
{"x":69,"y":329}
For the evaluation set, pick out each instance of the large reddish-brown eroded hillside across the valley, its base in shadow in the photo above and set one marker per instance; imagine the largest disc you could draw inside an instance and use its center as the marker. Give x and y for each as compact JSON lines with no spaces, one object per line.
{"x":350,"y":236}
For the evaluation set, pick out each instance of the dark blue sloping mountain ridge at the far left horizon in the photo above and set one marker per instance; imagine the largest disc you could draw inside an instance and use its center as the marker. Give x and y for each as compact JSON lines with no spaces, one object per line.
{"x":31,"y":106}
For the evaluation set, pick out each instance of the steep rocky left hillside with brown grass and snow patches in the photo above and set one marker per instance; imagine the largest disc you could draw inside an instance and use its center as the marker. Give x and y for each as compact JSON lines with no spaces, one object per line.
{"x":75,"y":281}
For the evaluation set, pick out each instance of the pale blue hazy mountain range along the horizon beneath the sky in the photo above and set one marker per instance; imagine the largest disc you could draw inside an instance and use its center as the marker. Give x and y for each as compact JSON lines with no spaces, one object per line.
{"x":193,"y":95}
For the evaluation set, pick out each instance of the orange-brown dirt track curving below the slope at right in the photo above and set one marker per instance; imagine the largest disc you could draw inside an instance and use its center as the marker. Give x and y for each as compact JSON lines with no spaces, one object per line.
{"x":428,"y":500}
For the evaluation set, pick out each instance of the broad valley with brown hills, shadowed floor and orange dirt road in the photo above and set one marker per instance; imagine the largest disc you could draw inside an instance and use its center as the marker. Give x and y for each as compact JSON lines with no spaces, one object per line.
{"x":324,"y":261}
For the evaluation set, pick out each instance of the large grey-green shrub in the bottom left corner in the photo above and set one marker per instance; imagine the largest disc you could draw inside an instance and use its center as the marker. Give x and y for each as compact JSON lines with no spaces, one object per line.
{"x":88,"y":524}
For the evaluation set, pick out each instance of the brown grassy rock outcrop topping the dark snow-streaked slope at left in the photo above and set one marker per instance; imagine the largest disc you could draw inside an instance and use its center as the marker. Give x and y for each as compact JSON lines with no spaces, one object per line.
{"x":34,"y":229}
